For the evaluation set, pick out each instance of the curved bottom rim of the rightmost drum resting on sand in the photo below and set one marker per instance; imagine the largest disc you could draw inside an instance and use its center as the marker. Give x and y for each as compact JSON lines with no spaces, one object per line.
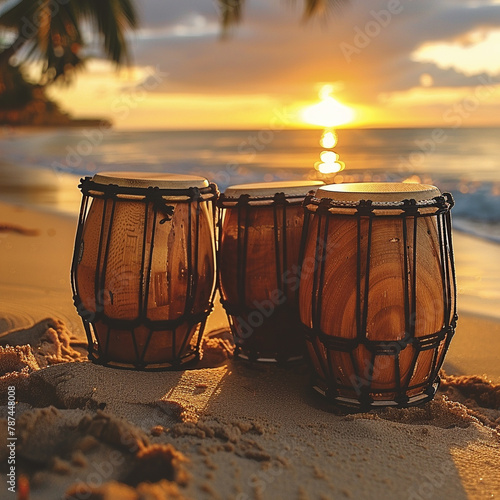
{"x":357,"y":405}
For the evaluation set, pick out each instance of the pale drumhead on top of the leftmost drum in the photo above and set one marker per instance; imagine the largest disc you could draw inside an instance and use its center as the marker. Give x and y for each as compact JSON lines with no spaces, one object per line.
{"x":150,"y":179}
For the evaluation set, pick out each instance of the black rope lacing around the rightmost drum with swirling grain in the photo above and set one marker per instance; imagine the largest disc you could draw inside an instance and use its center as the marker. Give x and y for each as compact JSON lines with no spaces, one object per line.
{"x":357,"y":352}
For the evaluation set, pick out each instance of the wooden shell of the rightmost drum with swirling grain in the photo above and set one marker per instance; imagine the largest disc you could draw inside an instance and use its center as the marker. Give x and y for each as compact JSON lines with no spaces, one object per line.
{"x":387,"y":310}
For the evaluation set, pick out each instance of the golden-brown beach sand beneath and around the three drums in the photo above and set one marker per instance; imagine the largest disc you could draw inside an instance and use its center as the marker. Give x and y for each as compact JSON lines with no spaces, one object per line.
{"x":224,"y":429}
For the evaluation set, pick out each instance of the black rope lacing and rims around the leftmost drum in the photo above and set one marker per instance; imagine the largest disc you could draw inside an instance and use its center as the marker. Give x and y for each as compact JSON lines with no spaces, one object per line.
{"x":157,"y":197}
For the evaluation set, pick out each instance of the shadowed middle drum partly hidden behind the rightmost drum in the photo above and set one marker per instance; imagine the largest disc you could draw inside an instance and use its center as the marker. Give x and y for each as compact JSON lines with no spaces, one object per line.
{"x":259,"y":243}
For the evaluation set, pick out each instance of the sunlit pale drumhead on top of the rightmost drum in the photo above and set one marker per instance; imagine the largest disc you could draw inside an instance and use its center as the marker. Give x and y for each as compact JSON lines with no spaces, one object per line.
{"x":378,"y":191}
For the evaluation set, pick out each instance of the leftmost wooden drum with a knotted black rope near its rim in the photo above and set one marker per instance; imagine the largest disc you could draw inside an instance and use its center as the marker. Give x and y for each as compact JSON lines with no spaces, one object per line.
{"x":143,"y":271}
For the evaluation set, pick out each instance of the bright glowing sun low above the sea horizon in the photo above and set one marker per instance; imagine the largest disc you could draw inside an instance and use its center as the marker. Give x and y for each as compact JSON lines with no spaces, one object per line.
{"x":328,"y":112}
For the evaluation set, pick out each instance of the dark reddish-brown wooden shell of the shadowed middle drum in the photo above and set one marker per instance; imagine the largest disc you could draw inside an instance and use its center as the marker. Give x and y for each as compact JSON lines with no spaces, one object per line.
{"x":259,"y":282}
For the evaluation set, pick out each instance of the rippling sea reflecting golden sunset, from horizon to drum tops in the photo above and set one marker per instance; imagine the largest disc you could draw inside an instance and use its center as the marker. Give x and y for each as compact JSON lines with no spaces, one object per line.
{"x":220,"y":157}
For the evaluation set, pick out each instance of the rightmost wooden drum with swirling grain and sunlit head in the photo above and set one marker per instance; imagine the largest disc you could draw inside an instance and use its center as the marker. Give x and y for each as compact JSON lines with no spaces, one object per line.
{"x":377,"y":291}
